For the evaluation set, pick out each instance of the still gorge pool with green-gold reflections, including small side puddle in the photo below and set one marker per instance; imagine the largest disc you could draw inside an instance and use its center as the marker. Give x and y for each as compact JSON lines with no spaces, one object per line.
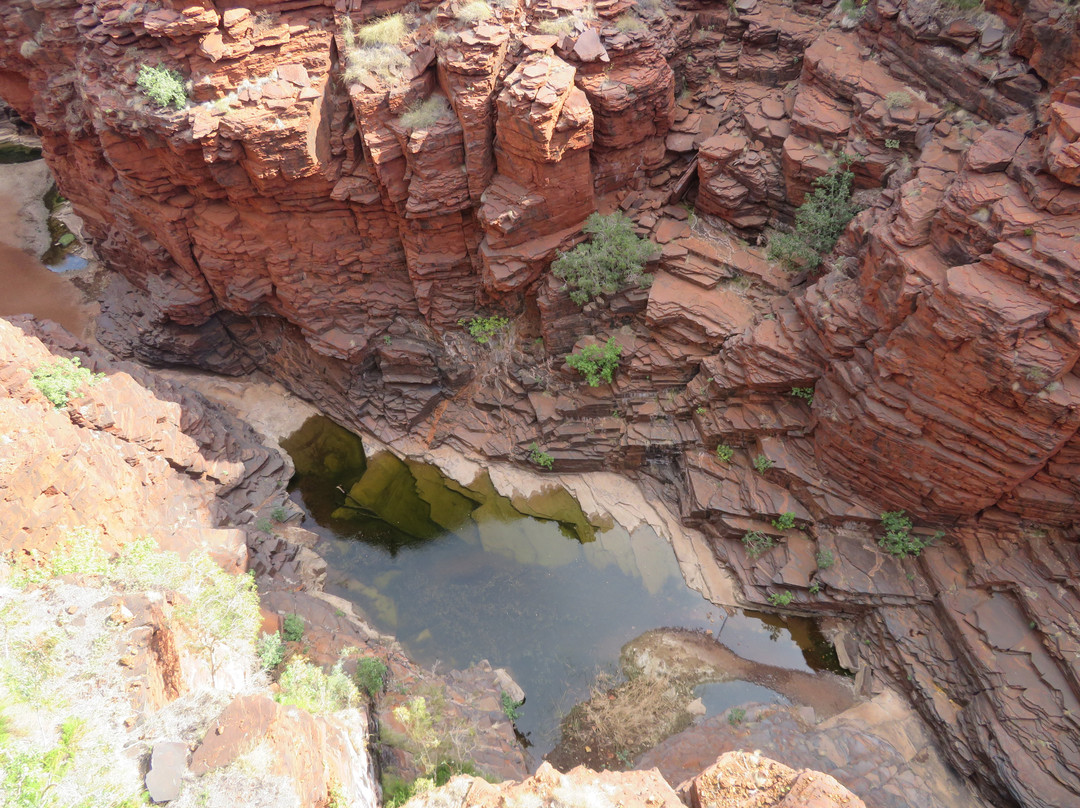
{"x":460,"y":574}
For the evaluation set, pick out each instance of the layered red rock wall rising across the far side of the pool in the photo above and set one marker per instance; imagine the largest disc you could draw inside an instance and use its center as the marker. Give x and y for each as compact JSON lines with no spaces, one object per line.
{"x":293,"y":219}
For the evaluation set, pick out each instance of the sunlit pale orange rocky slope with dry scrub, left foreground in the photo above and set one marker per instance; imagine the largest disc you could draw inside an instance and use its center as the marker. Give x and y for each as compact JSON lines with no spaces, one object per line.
{"x":147,"y":650}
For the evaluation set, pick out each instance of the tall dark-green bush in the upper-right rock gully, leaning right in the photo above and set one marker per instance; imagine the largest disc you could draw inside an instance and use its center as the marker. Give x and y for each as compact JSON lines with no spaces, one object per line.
{"x":819,"y":222}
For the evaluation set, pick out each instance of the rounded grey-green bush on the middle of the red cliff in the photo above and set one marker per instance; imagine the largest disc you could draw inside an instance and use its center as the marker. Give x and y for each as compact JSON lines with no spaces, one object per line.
{"x":614,"y":258}
